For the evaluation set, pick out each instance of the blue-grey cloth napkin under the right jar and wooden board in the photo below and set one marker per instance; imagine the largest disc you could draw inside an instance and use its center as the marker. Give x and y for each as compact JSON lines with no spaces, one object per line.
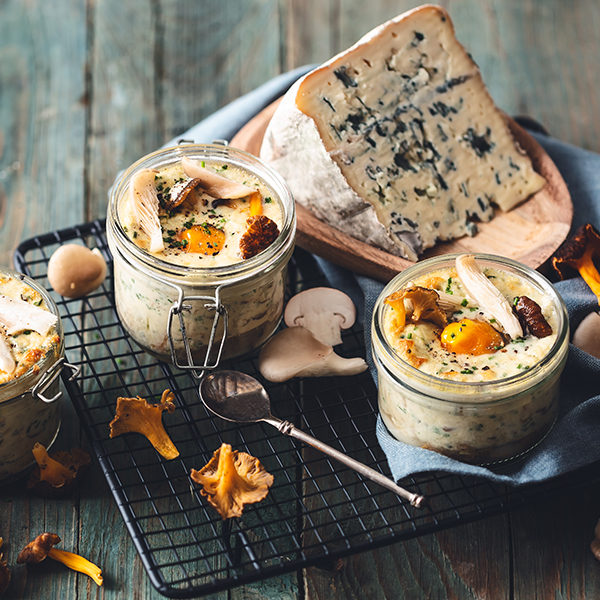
{"x":574,"y":441}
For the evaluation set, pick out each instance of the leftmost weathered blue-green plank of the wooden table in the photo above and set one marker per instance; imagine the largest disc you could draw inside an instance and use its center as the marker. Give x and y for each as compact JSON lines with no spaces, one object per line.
{"x":42,"y":120}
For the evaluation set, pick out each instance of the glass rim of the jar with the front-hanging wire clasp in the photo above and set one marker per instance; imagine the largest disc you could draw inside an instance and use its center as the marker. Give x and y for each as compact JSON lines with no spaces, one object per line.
{"x":233,"y":156}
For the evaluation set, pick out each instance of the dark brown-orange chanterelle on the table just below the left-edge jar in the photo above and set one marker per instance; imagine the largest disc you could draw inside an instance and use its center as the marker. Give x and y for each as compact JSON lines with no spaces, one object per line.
{"x":56,"y":473}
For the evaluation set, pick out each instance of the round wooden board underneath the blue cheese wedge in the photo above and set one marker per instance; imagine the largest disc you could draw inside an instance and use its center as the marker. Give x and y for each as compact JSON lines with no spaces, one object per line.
{"x":530,"y":233}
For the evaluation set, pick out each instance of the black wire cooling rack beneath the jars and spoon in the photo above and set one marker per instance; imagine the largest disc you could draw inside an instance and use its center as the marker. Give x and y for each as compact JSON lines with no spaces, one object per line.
{"x":316,"y":510}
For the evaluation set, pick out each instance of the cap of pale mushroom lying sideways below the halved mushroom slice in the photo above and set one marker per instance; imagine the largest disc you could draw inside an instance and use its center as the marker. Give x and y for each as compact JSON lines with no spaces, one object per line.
{"x":289,"y":352}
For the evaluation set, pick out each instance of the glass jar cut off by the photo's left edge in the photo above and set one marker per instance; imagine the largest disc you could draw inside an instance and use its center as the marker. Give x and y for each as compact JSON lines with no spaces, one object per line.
{"x":29,"y":404}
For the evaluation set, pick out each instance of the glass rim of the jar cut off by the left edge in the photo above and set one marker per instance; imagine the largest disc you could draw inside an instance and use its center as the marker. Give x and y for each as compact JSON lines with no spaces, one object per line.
{"x":25,"y":381}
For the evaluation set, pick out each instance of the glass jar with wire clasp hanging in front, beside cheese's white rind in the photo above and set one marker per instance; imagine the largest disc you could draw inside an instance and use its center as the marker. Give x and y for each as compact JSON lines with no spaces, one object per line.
{"x":193,"y":316}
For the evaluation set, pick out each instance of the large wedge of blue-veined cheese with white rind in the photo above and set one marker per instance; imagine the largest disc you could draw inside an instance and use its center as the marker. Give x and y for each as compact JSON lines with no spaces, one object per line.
{"x":401,"y":140}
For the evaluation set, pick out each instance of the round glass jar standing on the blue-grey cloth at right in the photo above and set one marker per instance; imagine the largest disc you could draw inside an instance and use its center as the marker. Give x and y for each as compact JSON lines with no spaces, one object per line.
{"x":477,"y":422}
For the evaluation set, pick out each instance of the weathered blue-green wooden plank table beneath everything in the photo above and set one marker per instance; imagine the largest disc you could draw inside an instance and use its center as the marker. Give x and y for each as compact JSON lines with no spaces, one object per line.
{"x":88,"y":87}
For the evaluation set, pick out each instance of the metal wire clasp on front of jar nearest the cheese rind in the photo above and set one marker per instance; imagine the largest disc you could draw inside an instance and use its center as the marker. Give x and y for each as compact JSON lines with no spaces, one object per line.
{"x":177,"y":310}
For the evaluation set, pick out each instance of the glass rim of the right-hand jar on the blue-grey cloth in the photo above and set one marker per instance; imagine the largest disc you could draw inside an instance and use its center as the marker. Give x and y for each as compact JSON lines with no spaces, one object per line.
{"x":394,"y":364}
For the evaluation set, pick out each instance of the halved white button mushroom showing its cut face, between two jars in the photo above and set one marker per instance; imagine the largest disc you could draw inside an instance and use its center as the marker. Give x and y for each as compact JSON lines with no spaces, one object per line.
{"x":323,"y":311}
